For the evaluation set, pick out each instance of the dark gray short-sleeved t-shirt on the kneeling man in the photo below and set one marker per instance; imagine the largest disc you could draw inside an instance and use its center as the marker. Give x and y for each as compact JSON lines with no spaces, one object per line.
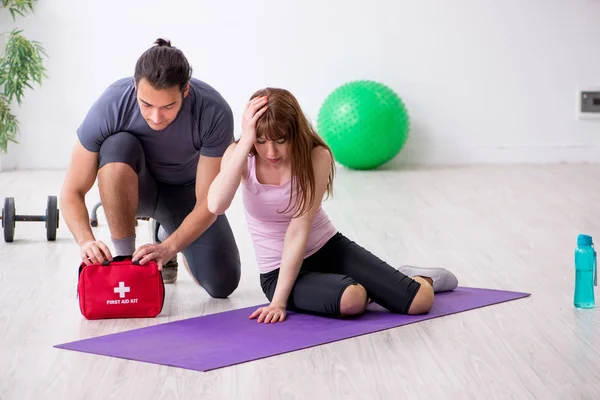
{"x":203,"y":126}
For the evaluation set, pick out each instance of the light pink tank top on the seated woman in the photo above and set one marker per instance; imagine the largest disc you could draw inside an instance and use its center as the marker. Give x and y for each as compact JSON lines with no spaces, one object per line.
{"x":267,"y":226}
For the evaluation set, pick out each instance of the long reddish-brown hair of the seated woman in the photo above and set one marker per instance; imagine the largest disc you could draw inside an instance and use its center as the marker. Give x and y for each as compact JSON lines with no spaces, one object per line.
{"x":285,"y":119}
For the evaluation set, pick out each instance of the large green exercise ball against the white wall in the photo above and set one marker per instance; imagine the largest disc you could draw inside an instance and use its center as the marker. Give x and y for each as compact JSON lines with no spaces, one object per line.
{"x":365,"y":123}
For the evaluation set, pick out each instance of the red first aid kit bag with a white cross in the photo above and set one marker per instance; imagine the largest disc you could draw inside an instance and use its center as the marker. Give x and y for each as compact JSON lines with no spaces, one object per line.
{"x":120,"y":289}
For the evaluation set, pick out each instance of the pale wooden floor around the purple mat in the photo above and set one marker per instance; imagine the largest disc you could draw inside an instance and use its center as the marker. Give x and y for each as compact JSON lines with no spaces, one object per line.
{"x":504,"y":227}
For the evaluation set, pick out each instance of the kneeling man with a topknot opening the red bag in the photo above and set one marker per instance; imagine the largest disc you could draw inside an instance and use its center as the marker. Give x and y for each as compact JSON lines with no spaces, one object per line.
{"x":155,"y":143}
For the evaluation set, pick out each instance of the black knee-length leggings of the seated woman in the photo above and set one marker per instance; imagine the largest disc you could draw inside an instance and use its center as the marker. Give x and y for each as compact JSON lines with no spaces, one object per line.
{"x":340,"y":263}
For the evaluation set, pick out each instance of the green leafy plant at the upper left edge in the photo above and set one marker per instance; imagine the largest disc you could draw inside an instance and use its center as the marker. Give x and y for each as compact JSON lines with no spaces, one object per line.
{"x":21,"y":66}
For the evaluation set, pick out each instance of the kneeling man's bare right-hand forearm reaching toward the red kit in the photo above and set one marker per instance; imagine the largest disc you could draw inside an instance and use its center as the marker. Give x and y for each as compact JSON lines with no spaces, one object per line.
{"x":191,"y":228}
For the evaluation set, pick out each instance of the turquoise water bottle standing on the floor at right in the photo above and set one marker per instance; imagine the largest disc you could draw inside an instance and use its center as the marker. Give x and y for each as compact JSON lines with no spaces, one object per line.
{"x":586,"y":276}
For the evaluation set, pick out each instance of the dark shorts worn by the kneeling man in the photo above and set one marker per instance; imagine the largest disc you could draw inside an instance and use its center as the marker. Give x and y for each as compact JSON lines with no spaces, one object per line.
{"x":213,"y":258}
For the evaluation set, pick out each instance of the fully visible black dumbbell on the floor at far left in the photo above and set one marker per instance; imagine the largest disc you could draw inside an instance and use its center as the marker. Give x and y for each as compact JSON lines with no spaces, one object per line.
{"x":10,"y":218}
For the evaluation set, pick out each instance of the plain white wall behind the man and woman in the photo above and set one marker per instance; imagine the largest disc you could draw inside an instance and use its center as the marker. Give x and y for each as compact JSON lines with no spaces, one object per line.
{"x":484,"y":80}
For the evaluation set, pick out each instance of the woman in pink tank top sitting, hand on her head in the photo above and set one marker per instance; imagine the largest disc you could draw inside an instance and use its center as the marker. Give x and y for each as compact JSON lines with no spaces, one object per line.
{"x":285,"y":170}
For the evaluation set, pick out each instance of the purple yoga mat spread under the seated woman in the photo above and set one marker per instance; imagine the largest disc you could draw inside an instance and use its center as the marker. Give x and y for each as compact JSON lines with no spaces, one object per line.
{"x":219,"y":340}
